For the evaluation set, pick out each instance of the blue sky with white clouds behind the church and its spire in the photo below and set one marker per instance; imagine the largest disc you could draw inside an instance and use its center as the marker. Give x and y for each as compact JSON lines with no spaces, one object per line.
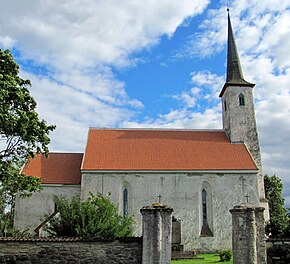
{"x":151,"y":64}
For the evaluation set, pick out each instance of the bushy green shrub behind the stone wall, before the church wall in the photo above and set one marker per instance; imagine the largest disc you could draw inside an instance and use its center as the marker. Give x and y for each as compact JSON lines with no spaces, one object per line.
{"x":95,"y":217}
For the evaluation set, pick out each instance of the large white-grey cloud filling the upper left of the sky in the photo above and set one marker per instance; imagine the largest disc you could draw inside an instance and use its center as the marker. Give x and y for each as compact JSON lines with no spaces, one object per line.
{"x":83,"y":33}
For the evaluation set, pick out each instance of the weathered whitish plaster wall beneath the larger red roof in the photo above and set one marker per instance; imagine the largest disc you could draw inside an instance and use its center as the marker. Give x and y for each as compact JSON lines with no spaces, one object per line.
{"x":182,"y":191}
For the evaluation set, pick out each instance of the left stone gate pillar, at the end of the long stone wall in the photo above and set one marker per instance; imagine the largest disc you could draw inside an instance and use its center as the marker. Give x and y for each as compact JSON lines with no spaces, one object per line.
{"x":156,"y":232}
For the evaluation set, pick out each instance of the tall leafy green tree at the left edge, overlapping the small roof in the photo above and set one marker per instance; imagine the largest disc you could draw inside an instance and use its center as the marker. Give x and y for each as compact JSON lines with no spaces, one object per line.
{"x":22,"y":133}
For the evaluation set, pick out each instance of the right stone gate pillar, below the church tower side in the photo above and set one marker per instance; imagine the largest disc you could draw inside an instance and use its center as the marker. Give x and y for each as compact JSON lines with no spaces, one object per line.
{"x":248,"y":235}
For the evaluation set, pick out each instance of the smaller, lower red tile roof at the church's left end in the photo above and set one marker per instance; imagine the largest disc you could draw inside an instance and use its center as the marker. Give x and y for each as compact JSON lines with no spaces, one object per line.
{"x":58,"y":168}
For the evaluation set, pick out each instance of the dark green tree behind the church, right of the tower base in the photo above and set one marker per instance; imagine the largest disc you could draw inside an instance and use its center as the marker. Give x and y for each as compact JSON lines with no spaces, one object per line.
{"x":279,"y":219}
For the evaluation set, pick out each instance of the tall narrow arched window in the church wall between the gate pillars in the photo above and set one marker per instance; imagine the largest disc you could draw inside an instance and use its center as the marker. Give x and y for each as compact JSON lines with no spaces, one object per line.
{"x":206,"y":211}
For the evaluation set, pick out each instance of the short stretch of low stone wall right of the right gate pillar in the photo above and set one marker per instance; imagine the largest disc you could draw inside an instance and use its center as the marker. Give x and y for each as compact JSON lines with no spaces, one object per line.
{"x":278,"y":251}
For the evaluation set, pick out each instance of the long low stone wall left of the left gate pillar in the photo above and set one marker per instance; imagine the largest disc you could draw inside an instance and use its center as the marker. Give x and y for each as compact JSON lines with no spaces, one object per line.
{"x":70,"y":251}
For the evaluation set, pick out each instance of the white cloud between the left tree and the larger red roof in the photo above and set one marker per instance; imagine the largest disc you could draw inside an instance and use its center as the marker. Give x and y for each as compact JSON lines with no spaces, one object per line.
{"x":73,"y":111}
